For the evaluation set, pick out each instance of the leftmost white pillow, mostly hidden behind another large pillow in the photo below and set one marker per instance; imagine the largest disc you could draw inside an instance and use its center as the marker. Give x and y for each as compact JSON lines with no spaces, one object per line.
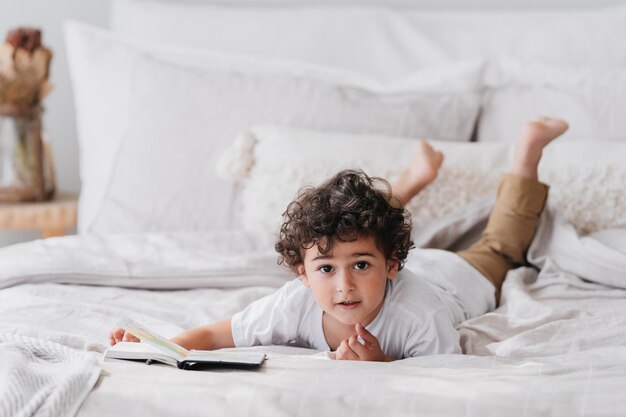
{"x":101,"y":66}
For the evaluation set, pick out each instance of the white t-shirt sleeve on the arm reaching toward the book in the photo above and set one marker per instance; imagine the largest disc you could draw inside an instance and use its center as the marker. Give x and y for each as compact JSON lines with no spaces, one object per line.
{"x":271,"y":320}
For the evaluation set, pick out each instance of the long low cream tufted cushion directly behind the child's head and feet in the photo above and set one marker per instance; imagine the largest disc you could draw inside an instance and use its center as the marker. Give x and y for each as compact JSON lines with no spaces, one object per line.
{"x":272,"y":163}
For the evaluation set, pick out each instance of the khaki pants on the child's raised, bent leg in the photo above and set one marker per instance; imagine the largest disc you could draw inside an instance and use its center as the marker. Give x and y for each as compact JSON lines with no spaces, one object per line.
{"x":511,"y":227}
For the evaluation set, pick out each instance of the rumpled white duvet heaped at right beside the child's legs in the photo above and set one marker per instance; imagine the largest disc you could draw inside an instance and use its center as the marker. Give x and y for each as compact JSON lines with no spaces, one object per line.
{"x":571,"y":299}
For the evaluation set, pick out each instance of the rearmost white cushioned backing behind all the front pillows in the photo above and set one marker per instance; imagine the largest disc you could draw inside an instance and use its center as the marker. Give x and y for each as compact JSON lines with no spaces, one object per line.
{"x":383,"y":42}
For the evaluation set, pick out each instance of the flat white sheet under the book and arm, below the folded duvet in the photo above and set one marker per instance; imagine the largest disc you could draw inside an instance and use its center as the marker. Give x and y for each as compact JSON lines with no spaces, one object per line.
{"x":298,"y":381}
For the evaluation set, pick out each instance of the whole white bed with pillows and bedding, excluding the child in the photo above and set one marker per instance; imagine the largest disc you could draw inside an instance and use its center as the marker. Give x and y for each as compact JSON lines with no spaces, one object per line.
{"x":198,"y":123}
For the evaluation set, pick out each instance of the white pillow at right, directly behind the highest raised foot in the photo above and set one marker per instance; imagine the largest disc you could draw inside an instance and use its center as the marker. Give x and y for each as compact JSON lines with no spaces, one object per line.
{"x":591,"y":99}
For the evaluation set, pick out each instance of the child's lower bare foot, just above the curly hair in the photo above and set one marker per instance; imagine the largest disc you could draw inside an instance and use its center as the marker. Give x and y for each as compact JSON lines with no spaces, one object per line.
{"x":423,"y":170}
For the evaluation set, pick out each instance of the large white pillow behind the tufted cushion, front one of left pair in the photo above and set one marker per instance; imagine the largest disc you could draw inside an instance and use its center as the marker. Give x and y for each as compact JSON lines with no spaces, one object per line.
{"x":181,"y":117}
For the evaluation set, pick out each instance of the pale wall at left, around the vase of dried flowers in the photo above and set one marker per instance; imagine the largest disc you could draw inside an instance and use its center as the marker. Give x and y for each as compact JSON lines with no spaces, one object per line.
{"x":49,"y":15}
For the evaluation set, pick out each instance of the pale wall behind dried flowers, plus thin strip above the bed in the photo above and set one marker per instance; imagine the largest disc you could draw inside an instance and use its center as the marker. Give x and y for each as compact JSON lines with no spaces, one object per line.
{"x":59,"y":120}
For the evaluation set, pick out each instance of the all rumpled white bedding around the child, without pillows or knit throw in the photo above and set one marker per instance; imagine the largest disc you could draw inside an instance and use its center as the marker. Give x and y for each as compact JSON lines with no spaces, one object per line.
{"x":554,"y":347}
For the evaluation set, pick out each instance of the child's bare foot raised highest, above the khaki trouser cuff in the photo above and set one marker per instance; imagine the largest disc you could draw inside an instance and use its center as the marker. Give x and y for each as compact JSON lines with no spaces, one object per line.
{"x":535,"y":136}
